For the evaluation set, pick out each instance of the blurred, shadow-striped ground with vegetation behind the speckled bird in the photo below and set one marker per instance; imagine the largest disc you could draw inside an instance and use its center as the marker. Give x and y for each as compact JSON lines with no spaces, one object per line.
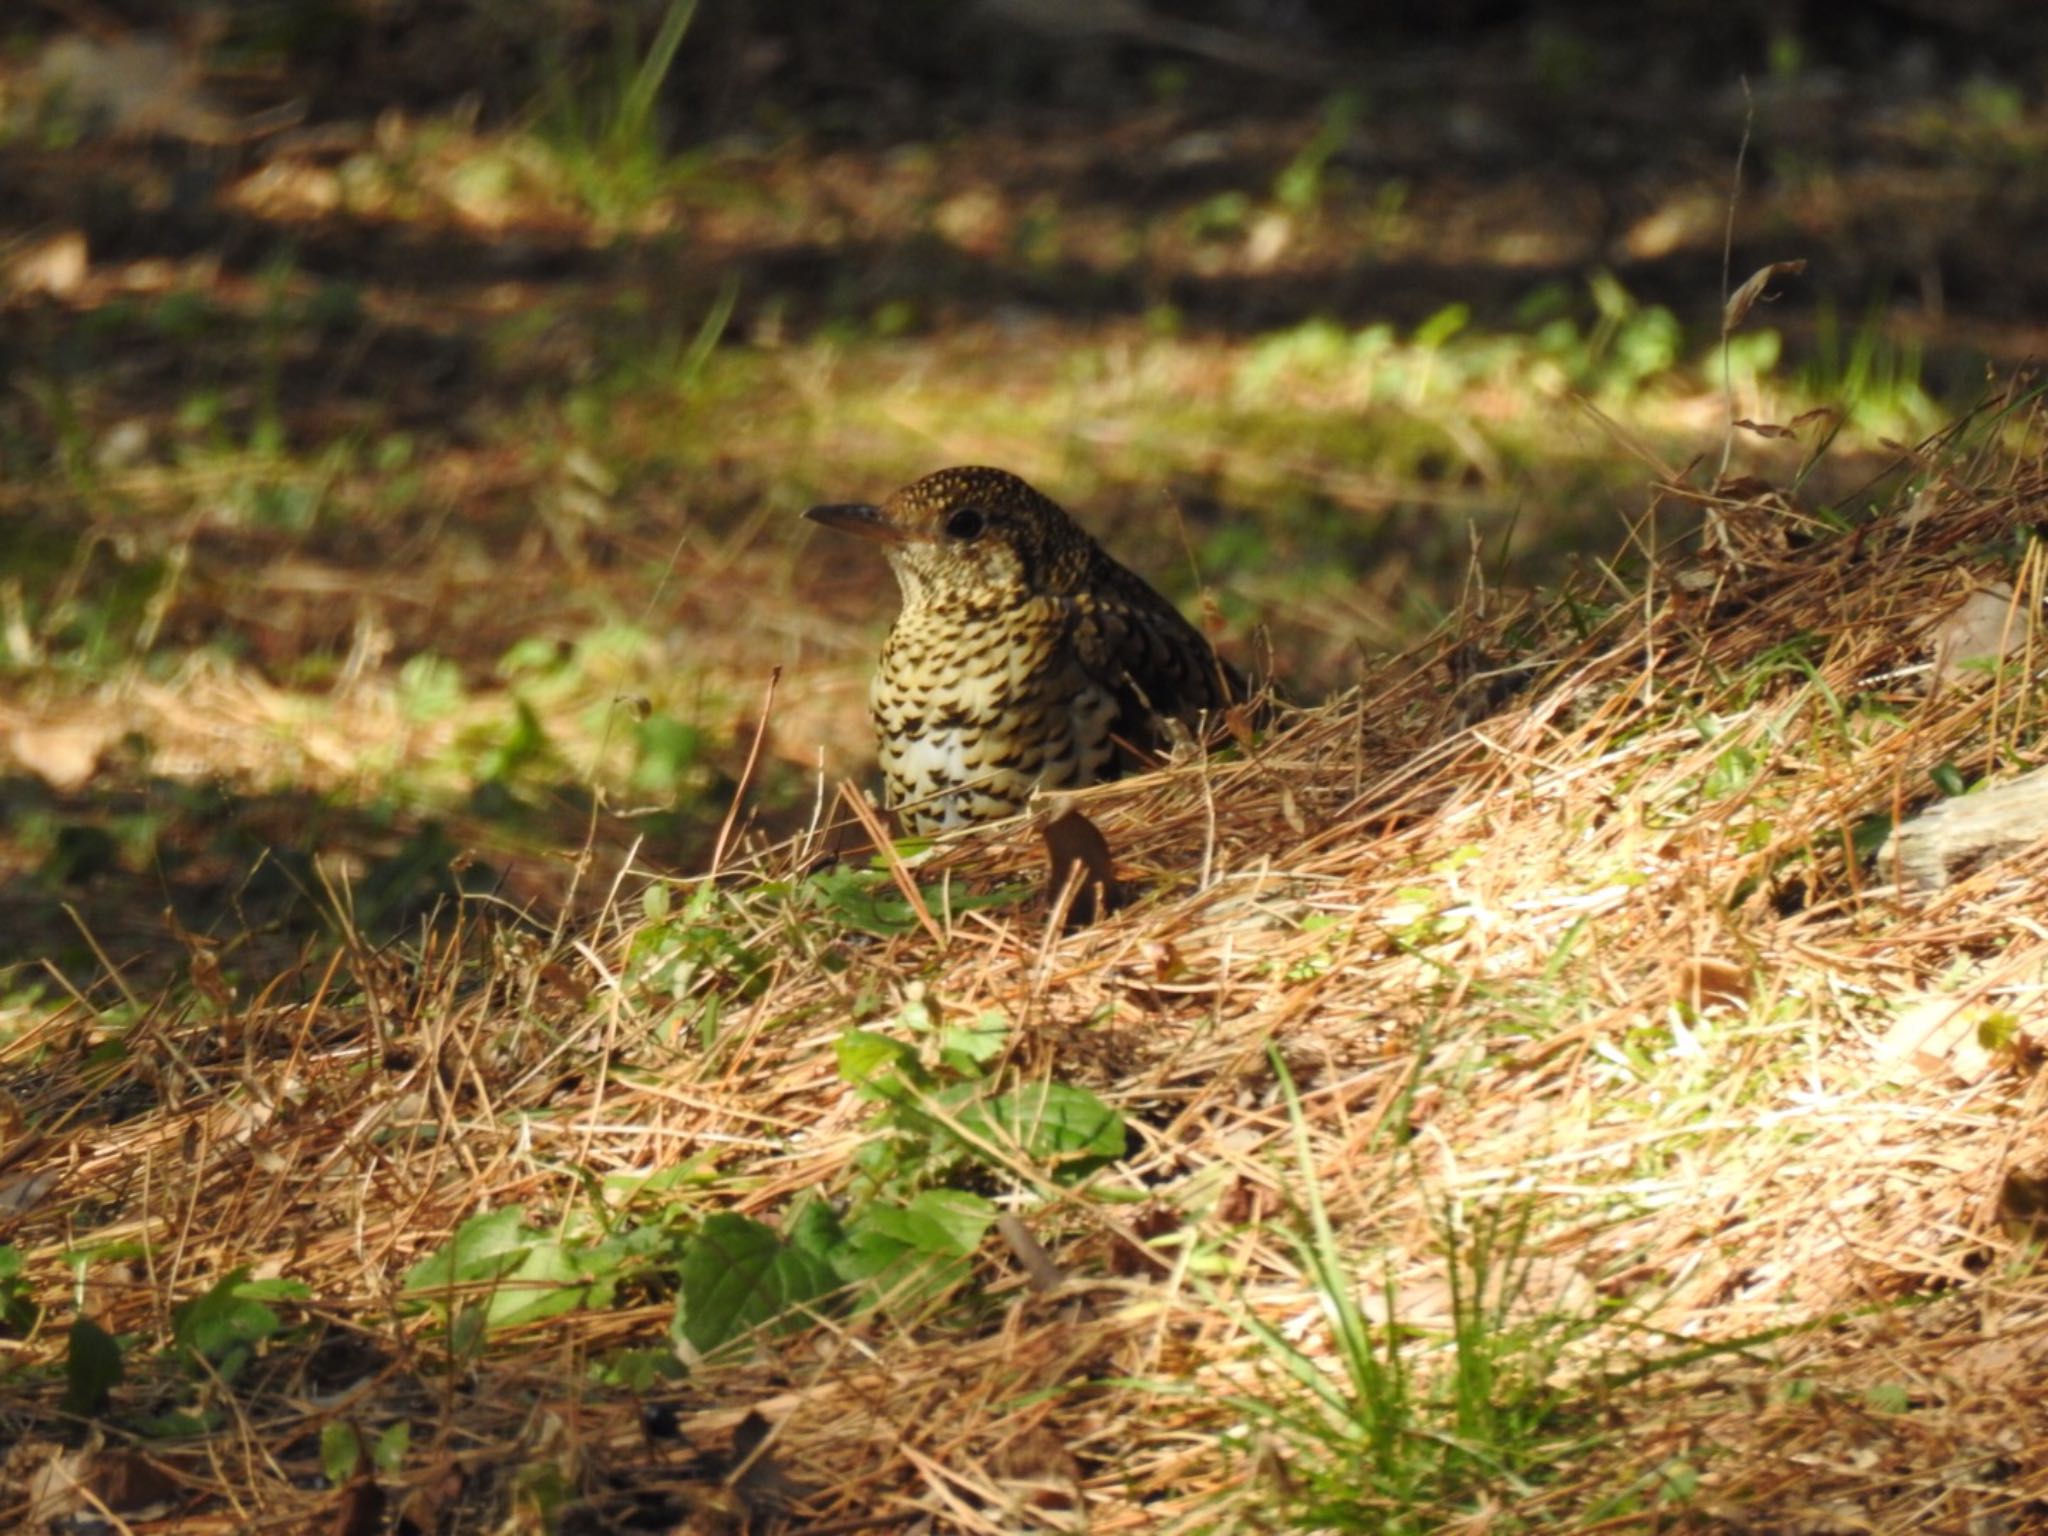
{"x":409,"y":404}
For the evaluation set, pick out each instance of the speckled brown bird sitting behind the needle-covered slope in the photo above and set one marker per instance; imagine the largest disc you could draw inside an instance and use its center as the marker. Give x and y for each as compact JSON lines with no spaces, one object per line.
{"x":1025,"y":658}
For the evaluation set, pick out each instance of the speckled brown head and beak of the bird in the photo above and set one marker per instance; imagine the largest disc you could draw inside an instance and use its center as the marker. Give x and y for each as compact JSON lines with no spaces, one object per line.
{"x":970,"y":538}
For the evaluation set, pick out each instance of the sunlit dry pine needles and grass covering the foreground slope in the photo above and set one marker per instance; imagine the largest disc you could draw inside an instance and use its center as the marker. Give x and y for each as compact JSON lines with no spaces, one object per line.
{"x":1580,"y":962}
